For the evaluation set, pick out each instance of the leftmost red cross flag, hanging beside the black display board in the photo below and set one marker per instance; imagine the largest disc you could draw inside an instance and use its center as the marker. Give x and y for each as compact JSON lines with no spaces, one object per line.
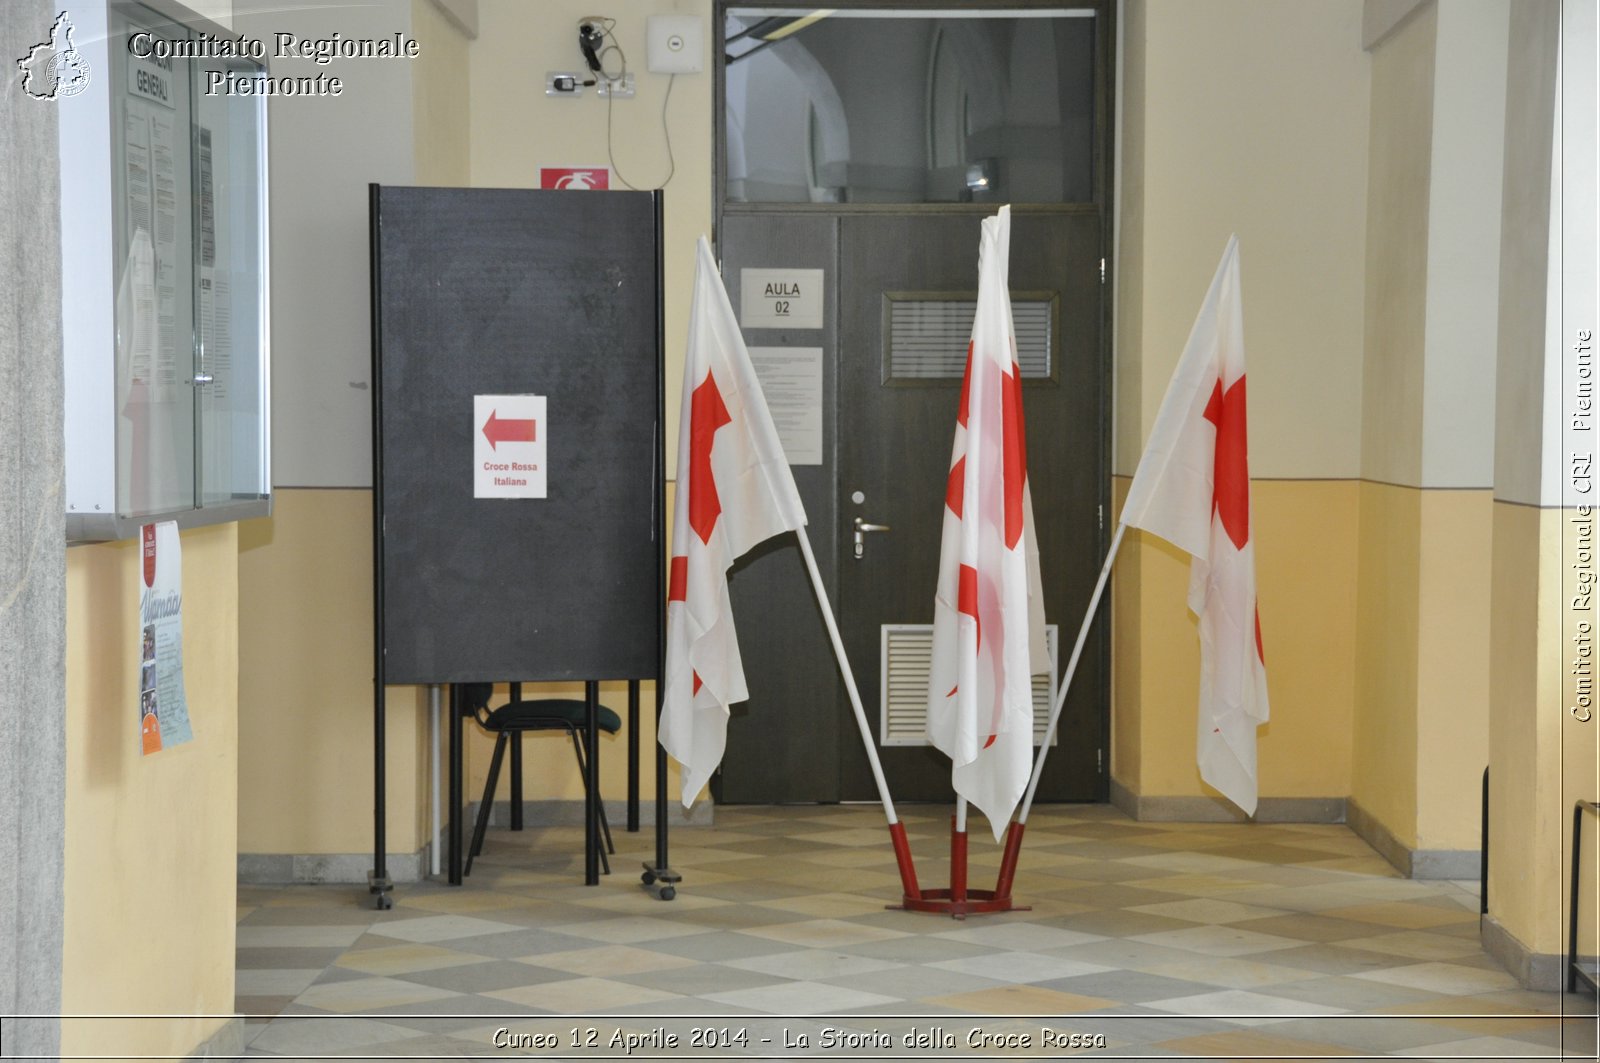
{"x":734,"y":491}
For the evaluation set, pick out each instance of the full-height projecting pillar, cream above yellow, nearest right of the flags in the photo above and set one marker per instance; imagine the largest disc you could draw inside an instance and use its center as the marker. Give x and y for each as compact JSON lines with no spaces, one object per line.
{"x":1422,"y":712}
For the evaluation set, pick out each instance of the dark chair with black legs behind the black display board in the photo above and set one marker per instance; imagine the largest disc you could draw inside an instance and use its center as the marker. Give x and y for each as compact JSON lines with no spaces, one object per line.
{"x":510,"y":723}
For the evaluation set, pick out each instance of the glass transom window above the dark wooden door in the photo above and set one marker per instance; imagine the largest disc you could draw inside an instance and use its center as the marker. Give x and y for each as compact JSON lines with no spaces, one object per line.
{"x":910,"y":106}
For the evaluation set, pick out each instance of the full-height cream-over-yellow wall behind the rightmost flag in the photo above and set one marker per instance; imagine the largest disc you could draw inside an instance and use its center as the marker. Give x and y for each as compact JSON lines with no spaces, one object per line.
{"x":1230,"y":130}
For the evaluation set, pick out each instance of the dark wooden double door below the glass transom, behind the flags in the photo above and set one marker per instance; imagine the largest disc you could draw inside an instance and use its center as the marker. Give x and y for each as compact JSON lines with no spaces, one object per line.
{"x":898,"y":297}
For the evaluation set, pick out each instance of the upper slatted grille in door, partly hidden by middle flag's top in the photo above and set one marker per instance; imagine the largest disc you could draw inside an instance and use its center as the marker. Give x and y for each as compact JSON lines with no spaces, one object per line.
{"x":929,"y":339}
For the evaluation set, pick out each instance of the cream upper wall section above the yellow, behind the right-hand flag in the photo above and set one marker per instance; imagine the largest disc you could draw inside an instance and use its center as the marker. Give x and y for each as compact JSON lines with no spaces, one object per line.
{"x":1252,"y":118}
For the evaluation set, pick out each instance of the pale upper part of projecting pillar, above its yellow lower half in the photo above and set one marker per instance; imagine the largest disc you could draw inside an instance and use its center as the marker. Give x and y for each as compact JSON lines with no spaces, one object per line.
{"x":1433,"y":243}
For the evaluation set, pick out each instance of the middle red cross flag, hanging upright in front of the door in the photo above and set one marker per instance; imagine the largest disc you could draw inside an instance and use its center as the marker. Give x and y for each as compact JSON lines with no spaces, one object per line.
{"x":990,"y":609}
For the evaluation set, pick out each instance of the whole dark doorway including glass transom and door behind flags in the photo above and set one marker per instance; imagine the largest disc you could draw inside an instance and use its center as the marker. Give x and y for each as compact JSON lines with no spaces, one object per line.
{"x":860,"y":151}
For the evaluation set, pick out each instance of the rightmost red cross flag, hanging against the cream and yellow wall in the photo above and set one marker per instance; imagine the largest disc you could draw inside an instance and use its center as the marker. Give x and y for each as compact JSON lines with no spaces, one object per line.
{"x":1193,"y":489}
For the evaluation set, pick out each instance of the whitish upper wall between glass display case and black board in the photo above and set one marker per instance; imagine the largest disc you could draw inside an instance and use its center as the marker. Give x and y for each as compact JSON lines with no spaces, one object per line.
{"x":326,"y":151}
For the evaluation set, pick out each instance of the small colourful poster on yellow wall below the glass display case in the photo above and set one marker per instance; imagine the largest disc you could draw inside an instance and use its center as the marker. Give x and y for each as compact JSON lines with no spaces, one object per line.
{"x":164,"y":712}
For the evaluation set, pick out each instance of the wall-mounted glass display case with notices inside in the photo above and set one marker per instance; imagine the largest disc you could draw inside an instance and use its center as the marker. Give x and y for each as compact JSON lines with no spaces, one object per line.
{"x":164,"y":204}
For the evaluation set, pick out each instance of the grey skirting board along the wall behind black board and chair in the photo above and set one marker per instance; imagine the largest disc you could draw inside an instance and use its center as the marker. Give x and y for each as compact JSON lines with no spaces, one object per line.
{"x":351,"y":868}
